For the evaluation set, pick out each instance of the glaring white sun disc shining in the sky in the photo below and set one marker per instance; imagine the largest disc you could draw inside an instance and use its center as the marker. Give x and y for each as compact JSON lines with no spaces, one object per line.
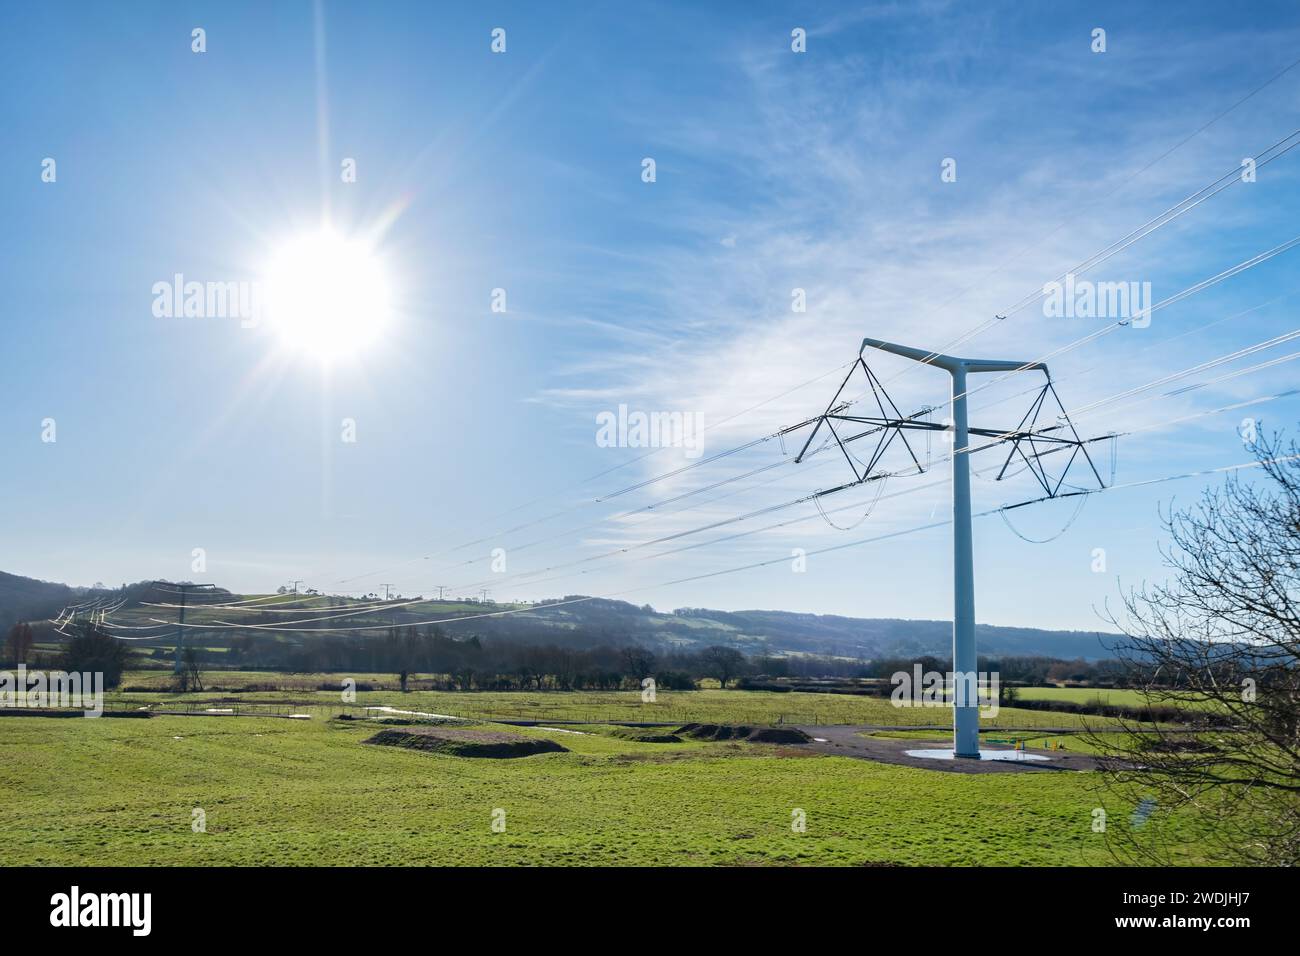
{"x":327,"y":296}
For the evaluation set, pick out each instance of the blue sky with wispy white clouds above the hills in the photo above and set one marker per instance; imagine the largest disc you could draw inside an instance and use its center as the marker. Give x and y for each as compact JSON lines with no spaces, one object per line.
{"x":523,"y":171}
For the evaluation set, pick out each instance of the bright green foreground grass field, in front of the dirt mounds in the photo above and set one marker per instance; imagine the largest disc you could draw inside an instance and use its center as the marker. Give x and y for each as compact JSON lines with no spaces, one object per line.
{"x":275,"y":791}
